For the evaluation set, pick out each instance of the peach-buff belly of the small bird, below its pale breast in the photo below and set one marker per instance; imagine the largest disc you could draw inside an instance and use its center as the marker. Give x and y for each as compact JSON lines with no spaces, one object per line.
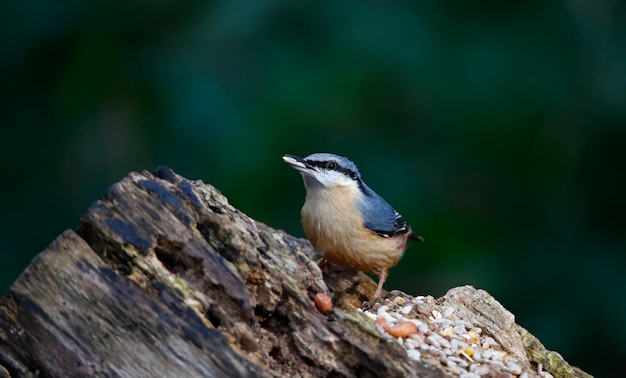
{"x":348,"y":243}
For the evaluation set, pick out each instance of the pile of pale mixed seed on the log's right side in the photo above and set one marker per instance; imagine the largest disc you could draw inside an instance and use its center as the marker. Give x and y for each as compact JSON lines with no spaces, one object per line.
{"x":445,"y":338}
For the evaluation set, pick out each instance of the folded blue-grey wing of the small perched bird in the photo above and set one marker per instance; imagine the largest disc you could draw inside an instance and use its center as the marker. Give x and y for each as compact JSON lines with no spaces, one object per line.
{"x":379,"y":216}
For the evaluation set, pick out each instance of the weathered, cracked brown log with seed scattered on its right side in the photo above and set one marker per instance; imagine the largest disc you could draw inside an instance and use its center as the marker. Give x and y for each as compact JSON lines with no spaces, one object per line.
{"x":164,"y":278}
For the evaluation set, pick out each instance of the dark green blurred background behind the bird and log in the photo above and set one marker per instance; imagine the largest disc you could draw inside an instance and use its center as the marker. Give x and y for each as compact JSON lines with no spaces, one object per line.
{"x":496,"y":128}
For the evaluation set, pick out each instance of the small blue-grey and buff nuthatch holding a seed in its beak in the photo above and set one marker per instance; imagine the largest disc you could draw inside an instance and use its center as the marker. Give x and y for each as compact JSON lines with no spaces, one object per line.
{"x":346,"y":221}
